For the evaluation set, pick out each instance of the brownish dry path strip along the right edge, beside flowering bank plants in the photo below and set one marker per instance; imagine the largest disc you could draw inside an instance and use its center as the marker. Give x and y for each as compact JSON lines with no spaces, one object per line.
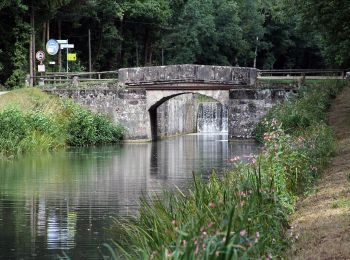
{"x":322,"y":221}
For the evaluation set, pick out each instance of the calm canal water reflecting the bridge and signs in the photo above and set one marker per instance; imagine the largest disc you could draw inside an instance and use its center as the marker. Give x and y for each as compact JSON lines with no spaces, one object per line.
{"x":61,"y":204}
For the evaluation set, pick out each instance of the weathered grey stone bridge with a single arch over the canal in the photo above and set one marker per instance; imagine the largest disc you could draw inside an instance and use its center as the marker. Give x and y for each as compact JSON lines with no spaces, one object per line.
{"x":141,"y":103}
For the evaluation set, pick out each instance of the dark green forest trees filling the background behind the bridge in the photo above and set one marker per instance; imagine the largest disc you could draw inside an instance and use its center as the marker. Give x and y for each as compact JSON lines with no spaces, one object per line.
{"x":277,"y":33}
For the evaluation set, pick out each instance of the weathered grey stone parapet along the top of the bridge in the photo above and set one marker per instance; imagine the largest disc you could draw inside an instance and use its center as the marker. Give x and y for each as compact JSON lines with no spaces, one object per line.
{"x":188,"y":73}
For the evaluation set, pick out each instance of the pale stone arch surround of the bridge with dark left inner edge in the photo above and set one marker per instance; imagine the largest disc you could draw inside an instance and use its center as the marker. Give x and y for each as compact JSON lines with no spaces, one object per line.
{"x":157,"y":97}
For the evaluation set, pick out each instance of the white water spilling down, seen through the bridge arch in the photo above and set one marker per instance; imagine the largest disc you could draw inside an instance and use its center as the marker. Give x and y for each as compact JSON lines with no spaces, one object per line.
{"x":212,"y":118}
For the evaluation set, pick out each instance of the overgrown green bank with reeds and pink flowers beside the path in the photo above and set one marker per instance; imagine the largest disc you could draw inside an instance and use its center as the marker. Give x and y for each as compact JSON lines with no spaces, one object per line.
{"x":244,"y":213}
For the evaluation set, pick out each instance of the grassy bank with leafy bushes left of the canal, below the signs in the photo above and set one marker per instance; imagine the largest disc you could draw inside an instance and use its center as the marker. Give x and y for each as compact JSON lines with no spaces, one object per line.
{"x":32,"y":120}
